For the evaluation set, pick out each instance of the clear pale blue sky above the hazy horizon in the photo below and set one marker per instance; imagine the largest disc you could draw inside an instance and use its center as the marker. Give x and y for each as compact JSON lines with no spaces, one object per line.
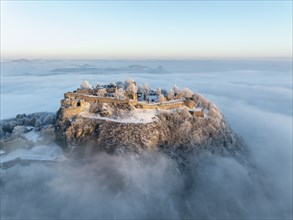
{"x":146,"y":29}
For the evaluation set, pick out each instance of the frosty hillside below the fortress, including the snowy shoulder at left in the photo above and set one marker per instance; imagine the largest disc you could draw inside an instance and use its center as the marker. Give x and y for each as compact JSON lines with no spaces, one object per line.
{"x":176,"y":130}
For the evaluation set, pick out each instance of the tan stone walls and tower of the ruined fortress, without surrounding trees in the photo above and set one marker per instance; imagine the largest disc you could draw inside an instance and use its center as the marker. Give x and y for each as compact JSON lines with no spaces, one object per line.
{"x":75,"y":102}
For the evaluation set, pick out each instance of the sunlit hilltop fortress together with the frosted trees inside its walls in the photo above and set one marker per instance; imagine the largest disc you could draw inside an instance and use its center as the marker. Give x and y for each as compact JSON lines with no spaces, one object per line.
{"x":98,"y":100}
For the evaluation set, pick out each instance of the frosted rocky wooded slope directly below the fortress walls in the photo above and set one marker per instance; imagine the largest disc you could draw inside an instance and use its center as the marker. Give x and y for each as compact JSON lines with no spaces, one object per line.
{"x":171,"y":131}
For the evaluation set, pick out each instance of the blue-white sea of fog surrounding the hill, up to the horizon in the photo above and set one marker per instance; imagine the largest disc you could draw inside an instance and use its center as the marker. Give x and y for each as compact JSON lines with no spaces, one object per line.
{"x":255,"y":97}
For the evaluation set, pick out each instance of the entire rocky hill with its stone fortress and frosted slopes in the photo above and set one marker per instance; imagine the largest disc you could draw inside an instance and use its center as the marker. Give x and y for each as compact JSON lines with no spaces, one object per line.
{"x":126,"y":116}
